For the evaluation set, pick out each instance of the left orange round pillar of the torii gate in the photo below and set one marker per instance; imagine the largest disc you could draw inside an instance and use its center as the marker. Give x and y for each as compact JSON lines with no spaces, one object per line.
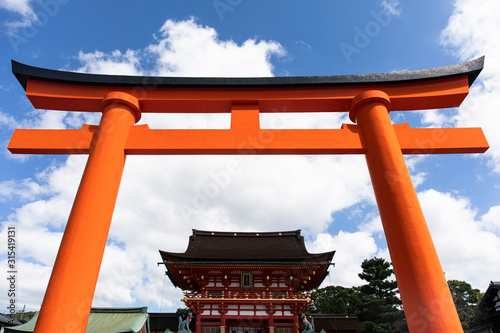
{"x":82,"y":247}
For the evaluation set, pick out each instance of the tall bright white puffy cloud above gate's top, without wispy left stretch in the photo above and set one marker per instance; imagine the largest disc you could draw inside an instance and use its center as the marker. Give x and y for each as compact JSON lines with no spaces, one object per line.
{"x":185,"y":48}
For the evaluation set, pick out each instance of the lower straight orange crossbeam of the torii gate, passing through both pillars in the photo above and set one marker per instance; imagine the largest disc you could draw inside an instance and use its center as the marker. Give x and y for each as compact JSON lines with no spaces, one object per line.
{"x":145,"y":141}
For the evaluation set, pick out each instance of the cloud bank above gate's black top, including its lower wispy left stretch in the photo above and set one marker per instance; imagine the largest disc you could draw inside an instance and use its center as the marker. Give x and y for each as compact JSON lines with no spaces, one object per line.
{"x":186,"y":48}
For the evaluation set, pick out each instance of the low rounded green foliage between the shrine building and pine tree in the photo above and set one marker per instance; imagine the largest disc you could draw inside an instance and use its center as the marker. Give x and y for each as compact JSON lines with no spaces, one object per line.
{"x":335,"y":299}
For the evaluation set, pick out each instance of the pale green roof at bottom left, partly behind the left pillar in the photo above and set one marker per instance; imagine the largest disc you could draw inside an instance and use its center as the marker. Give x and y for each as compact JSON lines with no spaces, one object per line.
{"x":104,"y":320}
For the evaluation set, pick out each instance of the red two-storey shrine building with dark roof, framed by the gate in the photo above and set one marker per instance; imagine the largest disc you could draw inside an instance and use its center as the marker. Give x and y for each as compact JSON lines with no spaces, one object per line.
{"x":242,"y":282}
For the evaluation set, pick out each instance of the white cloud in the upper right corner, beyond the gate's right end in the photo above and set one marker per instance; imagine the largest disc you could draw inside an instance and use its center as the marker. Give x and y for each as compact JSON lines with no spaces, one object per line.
{"x":471,"y":33}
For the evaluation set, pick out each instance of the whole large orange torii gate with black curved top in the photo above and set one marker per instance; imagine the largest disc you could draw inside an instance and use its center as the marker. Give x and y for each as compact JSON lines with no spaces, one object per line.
{"x":368,"y":99}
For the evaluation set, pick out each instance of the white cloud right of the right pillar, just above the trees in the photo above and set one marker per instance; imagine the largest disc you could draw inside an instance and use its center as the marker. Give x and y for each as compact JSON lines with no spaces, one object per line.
{"x":467,"y":245}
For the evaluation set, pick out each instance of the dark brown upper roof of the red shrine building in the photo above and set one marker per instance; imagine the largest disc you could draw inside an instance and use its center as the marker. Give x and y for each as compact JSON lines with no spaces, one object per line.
{"x":286,"y":246}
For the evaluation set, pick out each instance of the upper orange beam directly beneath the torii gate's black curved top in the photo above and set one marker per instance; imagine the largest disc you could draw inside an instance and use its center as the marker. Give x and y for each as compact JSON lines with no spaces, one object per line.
{"x":435,"y":94}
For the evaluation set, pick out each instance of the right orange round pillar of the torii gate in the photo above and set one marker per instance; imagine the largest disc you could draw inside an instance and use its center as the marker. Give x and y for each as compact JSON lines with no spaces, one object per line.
{"x":424,"y":291}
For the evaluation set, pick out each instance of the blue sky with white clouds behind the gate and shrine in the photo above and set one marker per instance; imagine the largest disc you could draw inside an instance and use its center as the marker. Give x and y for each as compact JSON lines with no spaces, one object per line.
{"x":328,"y":197}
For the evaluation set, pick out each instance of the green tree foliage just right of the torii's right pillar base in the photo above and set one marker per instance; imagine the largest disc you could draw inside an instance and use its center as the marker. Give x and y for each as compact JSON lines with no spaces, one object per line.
{"x":466,"y":301}
